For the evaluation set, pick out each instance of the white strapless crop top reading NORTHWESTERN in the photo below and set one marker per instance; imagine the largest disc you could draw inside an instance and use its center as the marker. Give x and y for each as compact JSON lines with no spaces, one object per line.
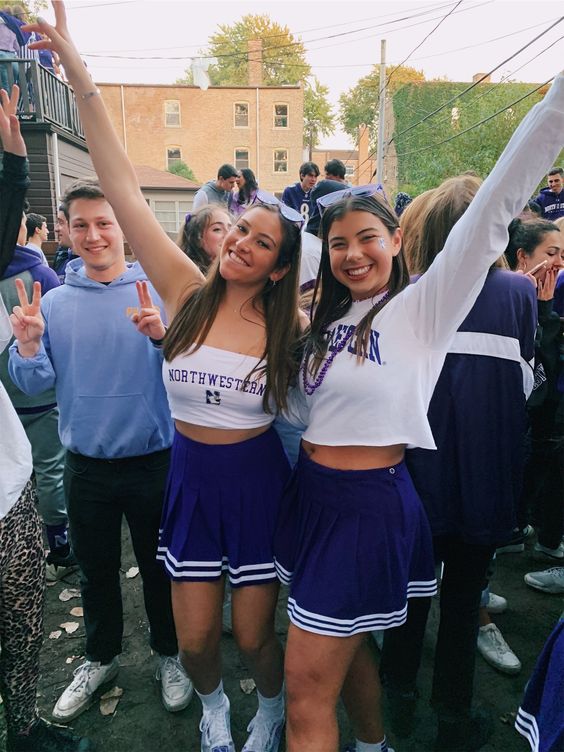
{"x":211,"y":387}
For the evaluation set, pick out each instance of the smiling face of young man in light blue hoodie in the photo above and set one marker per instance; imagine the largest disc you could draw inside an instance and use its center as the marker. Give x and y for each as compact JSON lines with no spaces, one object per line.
{"x":97,"y":238}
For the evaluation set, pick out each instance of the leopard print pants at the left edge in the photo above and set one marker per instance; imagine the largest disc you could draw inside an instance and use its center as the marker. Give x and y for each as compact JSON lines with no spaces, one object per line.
{"x":22,"y":593}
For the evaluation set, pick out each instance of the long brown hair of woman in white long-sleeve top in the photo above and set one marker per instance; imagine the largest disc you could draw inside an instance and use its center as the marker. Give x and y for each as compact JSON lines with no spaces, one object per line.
{"x":332,"y":299}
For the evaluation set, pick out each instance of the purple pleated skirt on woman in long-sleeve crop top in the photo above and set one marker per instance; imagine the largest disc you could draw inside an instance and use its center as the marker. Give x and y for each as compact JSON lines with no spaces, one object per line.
{"x":353,"y":545}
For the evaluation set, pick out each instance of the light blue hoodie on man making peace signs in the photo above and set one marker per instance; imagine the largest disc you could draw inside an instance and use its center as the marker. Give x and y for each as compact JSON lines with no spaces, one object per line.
{"x":107,"y":376}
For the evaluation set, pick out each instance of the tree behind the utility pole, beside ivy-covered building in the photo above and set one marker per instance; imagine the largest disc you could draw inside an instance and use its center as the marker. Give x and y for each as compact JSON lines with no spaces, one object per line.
{"x":360,"y":103}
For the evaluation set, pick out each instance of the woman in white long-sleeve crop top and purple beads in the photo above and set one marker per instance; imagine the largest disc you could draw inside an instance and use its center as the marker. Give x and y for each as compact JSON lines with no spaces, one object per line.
{"x":353,"y":539}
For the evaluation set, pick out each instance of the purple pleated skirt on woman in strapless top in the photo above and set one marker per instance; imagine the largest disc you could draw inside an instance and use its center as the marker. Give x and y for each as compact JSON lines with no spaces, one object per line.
{"x":220,"y":510}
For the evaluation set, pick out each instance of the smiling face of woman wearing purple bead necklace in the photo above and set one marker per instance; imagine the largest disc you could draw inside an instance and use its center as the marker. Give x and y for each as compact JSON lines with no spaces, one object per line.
{"x":361,"y":250}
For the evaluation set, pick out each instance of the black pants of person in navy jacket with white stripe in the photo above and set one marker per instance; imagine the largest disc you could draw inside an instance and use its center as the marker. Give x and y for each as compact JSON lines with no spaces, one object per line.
{"x":464,"y":578}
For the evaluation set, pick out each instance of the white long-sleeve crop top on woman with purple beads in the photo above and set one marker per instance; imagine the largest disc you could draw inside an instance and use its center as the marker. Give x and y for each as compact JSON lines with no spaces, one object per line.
{"x":384,"y":399}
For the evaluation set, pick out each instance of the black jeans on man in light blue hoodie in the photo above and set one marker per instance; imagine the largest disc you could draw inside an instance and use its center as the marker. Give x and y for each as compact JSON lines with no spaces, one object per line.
{"x":99,"y":493}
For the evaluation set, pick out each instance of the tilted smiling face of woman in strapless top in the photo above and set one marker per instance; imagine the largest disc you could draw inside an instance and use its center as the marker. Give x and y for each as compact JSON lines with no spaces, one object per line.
{"x":251,"y":248}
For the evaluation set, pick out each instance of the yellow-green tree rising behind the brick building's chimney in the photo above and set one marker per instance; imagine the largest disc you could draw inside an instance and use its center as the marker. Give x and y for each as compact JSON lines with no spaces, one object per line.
{"x":283,"y":62}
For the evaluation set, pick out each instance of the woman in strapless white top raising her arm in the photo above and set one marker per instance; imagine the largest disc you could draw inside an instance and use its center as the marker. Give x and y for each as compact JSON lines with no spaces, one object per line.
{"x":229,"y":355}
